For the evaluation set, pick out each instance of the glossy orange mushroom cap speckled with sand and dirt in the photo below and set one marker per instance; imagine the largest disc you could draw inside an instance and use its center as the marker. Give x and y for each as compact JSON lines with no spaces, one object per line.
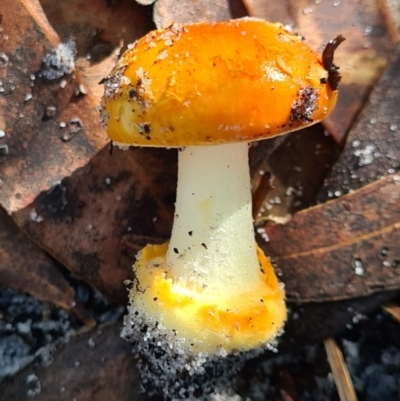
{"x":240,"y":80}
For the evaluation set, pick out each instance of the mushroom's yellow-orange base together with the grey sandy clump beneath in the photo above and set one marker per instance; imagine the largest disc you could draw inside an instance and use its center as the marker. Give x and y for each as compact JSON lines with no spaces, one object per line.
{"x":191,"y":342}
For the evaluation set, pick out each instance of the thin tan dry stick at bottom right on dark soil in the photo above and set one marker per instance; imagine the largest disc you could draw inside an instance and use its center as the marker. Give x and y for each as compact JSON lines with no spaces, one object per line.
{"x":340,"y":373}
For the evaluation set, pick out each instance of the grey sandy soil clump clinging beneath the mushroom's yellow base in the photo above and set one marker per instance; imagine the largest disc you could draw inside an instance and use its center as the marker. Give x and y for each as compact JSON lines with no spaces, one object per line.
{"x":168,"y":372}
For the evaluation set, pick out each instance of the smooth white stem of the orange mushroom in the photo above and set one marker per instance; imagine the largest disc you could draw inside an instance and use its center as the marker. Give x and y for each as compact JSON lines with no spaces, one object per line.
{"x":212,"y":242}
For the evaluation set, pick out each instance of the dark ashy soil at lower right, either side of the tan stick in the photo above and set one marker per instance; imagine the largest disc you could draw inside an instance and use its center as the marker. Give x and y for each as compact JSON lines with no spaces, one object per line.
{"x":371,"y":347}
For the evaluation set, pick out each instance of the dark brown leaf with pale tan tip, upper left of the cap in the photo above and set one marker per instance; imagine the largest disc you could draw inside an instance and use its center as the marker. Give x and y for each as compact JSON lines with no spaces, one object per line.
{"x":99,"y":29}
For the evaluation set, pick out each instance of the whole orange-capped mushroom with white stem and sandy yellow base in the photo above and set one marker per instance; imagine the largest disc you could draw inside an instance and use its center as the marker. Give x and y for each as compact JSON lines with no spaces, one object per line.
{"x":209,"y":89}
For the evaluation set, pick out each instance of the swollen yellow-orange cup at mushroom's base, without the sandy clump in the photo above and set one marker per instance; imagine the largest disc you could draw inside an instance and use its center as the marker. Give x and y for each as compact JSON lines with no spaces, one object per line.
{"x":204,"y":321}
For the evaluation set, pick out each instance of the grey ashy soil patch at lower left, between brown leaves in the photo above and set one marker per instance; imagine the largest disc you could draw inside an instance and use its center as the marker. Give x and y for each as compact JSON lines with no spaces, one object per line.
{"x":31,"y":331}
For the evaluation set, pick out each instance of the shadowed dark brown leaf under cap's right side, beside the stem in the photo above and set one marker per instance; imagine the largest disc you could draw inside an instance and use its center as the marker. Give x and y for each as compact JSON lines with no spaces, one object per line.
{"x":298,"y":167}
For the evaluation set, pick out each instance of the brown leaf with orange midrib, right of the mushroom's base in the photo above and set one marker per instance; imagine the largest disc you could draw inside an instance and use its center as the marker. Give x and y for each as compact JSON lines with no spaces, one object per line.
{"x":341,"y":249}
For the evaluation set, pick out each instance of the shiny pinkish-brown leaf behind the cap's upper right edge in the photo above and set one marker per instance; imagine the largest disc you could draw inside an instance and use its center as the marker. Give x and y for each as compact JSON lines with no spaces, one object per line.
{"x":361,"y":57}
